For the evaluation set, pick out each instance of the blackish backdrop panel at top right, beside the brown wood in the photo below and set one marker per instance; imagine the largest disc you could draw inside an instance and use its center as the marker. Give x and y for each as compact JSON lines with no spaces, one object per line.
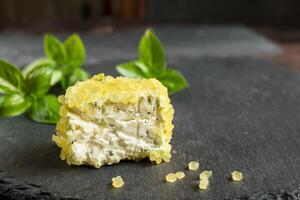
{"x":255,"y":12}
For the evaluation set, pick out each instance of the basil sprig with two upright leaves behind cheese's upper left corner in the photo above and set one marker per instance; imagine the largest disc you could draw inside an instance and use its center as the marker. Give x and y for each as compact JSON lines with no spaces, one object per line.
{"x":65,"y":59}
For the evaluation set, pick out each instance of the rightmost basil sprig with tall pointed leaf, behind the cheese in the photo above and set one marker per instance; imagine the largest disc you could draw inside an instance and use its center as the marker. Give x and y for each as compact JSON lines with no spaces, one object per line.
{"x":152,"y":64}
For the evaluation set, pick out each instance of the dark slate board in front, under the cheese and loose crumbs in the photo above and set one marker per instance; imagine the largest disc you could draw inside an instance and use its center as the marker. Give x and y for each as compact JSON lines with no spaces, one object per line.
{"x":238,"y":114}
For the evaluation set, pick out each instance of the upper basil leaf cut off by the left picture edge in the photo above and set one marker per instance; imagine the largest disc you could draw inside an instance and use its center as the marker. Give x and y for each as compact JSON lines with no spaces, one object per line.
{"x":11,"y":78}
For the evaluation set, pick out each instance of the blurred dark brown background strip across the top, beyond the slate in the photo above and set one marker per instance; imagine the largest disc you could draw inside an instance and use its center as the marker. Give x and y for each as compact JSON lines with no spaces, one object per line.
{"x":88,"y":14}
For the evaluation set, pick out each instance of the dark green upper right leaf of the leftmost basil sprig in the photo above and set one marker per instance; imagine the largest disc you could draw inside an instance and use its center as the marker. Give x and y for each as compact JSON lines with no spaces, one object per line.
{"x":38,"y":81}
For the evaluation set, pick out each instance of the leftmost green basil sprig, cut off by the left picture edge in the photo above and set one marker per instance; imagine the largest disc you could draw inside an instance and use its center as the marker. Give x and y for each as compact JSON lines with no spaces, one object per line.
{"x":27,"y":93}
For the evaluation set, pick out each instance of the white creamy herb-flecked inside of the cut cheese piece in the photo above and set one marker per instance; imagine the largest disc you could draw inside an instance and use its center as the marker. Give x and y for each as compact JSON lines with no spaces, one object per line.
{"x":116,"y":133}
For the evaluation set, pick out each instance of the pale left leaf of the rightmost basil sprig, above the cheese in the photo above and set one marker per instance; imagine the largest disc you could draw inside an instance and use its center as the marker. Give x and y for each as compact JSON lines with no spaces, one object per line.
{"x":130,"y":70}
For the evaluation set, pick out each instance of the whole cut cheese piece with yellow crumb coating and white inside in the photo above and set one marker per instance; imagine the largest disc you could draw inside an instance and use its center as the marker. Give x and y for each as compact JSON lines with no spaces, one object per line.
{"x":104,"y":120}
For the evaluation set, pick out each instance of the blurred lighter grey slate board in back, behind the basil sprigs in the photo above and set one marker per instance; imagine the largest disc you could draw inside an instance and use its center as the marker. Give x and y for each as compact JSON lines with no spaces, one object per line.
{"x":188,"y":40}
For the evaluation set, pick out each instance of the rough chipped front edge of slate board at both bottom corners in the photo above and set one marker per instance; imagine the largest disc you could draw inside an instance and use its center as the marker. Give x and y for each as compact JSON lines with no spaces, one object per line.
{"x":14,"y":189}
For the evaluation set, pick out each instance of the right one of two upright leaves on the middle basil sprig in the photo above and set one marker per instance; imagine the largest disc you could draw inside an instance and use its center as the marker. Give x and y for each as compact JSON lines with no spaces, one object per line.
{"x":75,"y":50}
